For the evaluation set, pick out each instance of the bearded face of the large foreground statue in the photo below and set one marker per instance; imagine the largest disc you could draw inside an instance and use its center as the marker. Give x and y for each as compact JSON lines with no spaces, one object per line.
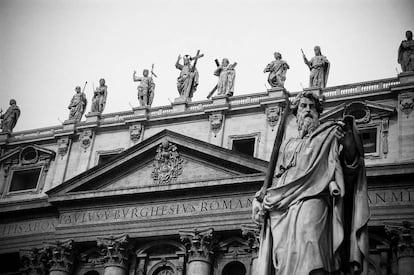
{"x":307,"y":117}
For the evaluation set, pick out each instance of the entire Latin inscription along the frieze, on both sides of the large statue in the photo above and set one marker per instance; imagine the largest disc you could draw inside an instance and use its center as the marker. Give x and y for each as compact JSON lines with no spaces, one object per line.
{"x":186,"y":208}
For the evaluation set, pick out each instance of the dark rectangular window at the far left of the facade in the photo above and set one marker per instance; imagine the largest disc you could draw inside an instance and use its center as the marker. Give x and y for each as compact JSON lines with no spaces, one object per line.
{"x":25,"y":179}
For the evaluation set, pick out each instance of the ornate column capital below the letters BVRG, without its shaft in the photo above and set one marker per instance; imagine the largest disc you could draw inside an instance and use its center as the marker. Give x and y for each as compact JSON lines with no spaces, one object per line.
{"x":114,"y":250}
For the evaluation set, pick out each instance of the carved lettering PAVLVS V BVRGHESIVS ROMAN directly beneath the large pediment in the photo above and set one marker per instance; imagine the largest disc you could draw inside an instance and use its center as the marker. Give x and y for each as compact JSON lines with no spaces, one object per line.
{"x":132,"y":213}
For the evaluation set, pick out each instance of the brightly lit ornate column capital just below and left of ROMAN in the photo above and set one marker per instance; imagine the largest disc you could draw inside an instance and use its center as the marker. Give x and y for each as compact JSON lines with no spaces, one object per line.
{"x":198,"y":244}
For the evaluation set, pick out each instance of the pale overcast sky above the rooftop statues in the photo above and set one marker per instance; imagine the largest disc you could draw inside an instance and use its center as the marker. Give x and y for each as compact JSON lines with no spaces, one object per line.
{"x":50,"y":46}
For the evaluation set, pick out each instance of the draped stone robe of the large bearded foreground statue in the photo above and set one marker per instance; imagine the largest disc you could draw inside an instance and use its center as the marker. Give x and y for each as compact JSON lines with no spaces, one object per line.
{"x":305,"y":228}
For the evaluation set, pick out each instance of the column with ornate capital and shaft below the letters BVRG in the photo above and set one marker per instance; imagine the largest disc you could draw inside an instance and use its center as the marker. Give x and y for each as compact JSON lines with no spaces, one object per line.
{"x":116,"y":254}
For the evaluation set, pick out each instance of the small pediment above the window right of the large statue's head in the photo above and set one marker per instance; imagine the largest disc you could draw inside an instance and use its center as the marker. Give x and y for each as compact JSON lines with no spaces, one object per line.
{"x":363,"y":111}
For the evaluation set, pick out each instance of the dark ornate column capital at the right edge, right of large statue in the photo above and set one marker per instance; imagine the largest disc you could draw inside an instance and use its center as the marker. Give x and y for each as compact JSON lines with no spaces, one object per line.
{"x":402,"y":238}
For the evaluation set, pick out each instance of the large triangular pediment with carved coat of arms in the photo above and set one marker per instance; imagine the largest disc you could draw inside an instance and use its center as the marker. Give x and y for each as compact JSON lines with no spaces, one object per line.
{"x":167,"y":158}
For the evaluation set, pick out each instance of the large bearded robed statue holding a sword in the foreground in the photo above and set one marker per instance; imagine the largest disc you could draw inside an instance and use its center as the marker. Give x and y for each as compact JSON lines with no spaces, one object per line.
{"x":314,"y":209}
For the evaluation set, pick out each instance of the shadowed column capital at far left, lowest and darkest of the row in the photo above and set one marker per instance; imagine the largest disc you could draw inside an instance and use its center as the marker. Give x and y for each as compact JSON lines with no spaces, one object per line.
{"x":34,"y":261}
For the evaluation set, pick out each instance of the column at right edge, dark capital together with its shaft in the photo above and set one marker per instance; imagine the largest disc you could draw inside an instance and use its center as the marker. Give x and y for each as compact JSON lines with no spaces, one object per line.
{"x":402,"y":239}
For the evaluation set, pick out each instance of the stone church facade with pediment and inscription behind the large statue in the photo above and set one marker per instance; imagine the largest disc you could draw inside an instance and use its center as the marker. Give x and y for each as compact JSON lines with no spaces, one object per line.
{"x":84,"y":198}
